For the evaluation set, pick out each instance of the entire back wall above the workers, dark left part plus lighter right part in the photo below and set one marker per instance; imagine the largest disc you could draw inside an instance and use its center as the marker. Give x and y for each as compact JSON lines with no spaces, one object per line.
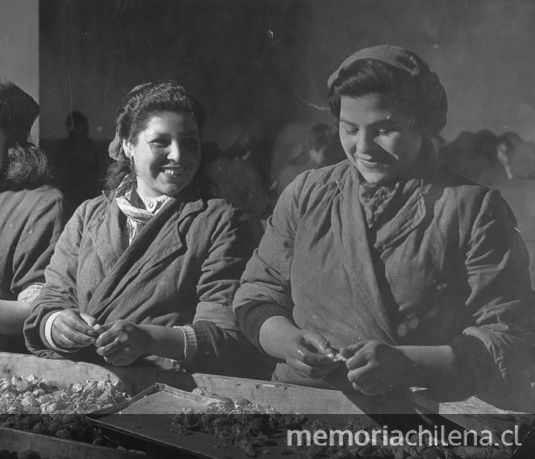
{"x":265,"y":63}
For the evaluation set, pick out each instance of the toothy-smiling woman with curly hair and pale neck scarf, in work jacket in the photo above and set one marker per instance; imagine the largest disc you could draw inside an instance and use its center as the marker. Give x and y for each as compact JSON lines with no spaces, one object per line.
{"x":149,"y":268}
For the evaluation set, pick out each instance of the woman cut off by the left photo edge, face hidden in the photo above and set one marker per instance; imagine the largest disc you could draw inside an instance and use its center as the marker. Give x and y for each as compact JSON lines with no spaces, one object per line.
{"x":31,"y":214}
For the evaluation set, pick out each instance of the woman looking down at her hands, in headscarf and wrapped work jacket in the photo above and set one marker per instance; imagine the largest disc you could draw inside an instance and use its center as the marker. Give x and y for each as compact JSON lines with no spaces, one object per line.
{"x":416,"y":275}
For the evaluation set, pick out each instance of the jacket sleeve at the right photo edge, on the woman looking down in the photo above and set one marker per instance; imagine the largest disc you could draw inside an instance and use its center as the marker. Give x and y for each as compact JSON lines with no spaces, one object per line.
{"x":498,"y":348}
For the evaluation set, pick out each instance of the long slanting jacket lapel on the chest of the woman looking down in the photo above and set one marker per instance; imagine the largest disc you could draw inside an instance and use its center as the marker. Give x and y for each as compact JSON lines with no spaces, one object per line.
{"x":352,"y":241}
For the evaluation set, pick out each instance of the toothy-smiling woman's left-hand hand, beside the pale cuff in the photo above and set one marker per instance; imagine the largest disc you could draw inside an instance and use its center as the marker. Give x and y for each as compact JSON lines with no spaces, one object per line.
{"x":73,"y":329}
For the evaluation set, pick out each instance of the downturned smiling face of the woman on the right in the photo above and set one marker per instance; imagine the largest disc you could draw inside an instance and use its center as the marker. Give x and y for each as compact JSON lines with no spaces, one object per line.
{"x":378,"y":138}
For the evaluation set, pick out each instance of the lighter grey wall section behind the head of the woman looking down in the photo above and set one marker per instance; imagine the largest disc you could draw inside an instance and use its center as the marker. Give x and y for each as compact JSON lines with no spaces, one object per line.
{"x":482,"y":50}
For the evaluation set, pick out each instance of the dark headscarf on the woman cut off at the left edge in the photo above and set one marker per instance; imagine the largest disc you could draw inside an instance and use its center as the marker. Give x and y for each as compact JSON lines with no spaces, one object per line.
{"x":18,"y":111}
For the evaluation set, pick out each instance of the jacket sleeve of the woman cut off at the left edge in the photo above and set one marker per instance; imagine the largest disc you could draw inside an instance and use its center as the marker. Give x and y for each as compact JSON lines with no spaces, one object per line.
{"x":36,"y":245}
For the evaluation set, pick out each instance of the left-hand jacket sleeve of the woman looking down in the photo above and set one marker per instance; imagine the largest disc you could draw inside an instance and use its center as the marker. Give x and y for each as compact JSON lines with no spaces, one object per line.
{"x":265,"y":289}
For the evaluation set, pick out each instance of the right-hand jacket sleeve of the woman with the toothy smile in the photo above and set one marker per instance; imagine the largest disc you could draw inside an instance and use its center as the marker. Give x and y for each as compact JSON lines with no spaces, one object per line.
{"x":220,"y":346}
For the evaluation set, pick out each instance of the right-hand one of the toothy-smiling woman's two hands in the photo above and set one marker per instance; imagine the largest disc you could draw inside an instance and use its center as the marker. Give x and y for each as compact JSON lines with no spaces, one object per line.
{"x":123,"y":342}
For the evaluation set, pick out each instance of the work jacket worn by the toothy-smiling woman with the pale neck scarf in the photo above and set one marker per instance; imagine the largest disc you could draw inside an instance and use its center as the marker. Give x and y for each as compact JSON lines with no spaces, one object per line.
{"x":182,"y":268}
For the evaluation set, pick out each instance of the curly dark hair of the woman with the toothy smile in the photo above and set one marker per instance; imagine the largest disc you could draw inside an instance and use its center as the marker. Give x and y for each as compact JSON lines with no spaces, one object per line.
{"x":138,"y":106}
